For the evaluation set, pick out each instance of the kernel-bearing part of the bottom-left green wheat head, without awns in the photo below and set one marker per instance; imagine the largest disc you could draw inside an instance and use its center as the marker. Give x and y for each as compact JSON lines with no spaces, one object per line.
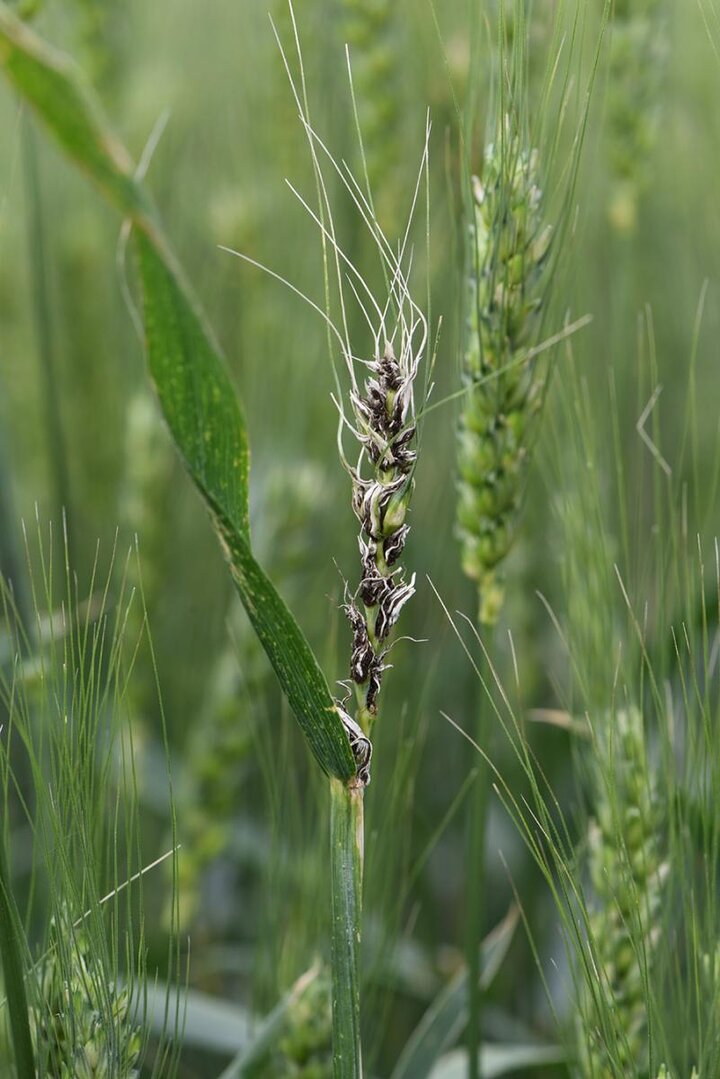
{"x":81,"y":1028}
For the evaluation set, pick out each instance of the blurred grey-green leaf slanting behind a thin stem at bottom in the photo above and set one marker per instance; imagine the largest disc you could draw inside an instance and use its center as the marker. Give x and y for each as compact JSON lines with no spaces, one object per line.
{"x":447,"y":1017}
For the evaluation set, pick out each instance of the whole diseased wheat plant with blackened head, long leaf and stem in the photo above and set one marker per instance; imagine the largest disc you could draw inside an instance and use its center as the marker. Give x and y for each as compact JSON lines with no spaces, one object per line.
{"x":209,"y":429}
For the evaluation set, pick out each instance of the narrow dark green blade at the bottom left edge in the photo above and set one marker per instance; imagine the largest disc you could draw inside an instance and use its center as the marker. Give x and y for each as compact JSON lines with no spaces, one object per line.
{"x":13,"y":971}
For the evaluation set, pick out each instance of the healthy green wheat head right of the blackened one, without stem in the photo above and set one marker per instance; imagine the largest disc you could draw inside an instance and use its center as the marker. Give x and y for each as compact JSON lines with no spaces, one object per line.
{"x":509,"y":250}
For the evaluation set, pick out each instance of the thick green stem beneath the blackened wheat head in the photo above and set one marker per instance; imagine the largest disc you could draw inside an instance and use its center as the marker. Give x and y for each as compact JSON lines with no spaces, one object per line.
{"x":347,"y":843}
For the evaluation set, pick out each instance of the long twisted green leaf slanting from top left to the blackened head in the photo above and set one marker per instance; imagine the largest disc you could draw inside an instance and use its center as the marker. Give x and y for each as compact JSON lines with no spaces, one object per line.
{"x":191,"y":377}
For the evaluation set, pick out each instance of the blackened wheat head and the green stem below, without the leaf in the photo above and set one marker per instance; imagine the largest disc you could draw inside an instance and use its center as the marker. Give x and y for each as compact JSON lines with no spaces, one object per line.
{"x":383,"y":483}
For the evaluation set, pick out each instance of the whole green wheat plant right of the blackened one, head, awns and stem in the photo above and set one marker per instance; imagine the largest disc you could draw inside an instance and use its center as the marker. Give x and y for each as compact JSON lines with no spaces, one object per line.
{"x":512,"y":262}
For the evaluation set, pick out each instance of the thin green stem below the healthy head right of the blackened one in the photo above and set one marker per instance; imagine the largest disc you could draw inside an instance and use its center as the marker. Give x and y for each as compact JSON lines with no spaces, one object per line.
{"x":477,"y":902}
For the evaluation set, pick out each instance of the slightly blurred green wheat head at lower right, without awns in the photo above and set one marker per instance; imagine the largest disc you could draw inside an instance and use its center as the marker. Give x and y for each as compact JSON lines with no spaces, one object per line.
{"x":629,"y":876}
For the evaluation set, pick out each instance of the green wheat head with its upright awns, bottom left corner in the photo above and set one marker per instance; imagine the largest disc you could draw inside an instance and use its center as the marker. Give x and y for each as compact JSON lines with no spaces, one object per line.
{"x":75,"y":946}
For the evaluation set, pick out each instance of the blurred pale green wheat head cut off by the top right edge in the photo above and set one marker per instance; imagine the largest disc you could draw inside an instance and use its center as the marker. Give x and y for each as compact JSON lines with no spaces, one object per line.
{"x":637,"y":59}
